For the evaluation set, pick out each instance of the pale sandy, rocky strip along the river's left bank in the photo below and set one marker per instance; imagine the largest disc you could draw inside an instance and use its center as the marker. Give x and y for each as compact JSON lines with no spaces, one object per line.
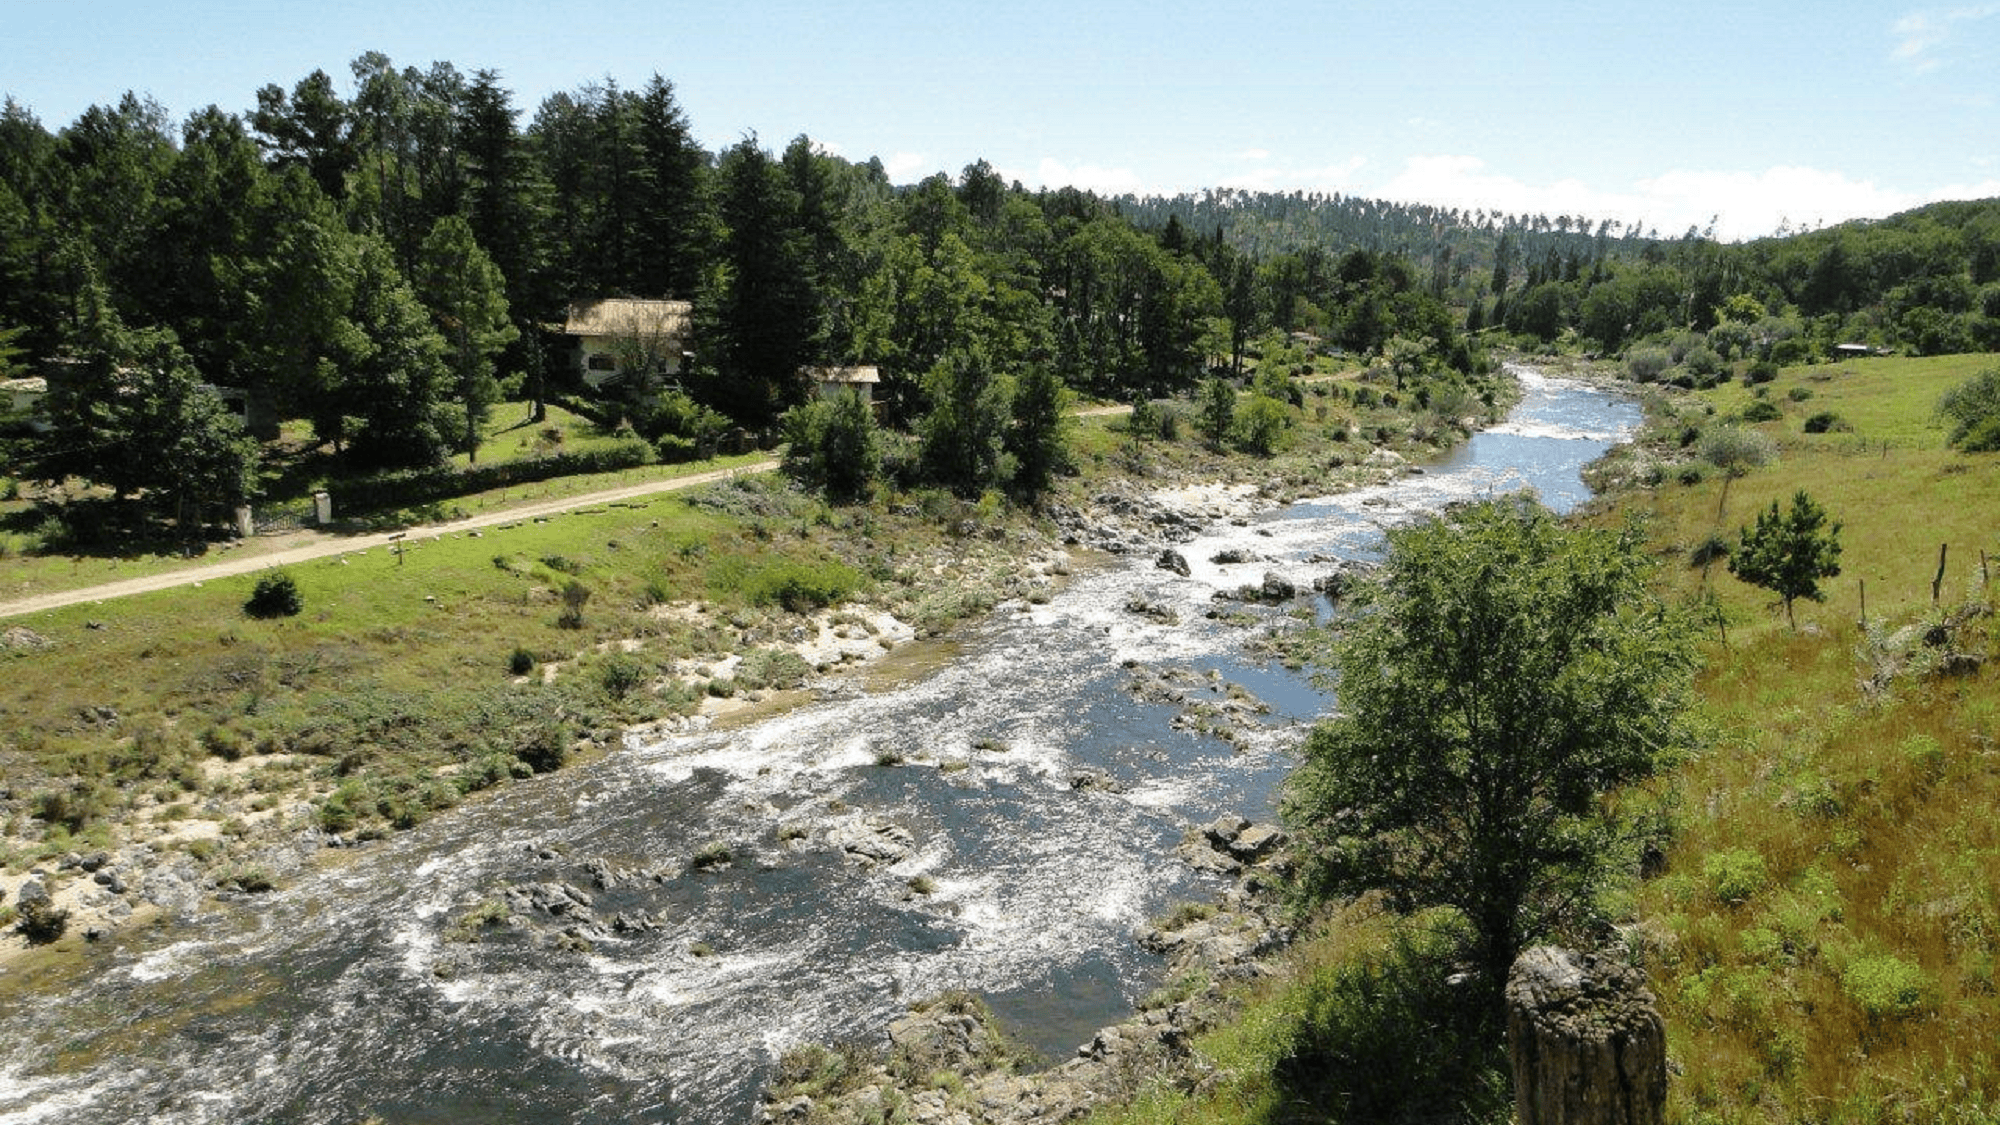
{"x":241,"y":824}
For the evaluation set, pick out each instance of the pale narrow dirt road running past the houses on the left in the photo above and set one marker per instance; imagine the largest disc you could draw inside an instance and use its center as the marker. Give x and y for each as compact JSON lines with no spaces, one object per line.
{"x":321,"y":545}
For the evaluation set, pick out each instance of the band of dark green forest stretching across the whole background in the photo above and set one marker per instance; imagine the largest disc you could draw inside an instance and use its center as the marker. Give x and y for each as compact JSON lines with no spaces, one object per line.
{"x":381,"y":259}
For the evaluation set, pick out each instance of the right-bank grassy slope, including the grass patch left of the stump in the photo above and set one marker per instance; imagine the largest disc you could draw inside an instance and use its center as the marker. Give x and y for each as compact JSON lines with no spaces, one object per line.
{"x":1827,"y":920}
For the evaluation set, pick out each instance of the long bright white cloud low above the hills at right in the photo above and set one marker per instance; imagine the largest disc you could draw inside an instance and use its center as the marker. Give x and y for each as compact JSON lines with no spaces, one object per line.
{"x":1743,"y":205}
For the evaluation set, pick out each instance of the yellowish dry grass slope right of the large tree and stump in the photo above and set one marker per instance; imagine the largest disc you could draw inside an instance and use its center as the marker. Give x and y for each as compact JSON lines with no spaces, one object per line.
{"x":1827,"y":930}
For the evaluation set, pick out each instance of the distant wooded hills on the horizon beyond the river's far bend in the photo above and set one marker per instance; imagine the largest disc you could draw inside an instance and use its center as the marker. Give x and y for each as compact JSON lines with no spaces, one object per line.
{"x":1925,"y":281}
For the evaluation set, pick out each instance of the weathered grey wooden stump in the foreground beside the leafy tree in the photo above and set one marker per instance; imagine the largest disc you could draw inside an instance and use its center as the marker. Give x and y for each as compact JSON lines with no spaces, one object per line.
{"x":1587,"y":1042}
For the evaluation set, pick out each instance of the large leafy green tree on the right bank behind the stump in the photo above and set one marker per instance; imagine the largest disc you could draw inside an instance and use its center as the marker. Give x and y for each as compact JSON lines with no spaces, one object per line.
{"x":1495,"y":686}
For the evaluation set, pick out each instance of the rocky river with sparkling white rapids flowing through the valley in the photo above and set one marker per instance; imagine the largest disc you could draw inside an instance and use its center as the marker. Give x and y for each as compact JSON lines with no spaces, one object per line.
{"x":345,"y":994}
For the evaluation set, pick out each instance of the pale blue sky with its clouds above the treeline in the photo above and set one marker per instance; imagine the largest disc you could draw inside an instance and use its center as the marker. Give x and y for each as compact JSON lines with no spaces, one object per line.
{"x":1753,"y":113}
